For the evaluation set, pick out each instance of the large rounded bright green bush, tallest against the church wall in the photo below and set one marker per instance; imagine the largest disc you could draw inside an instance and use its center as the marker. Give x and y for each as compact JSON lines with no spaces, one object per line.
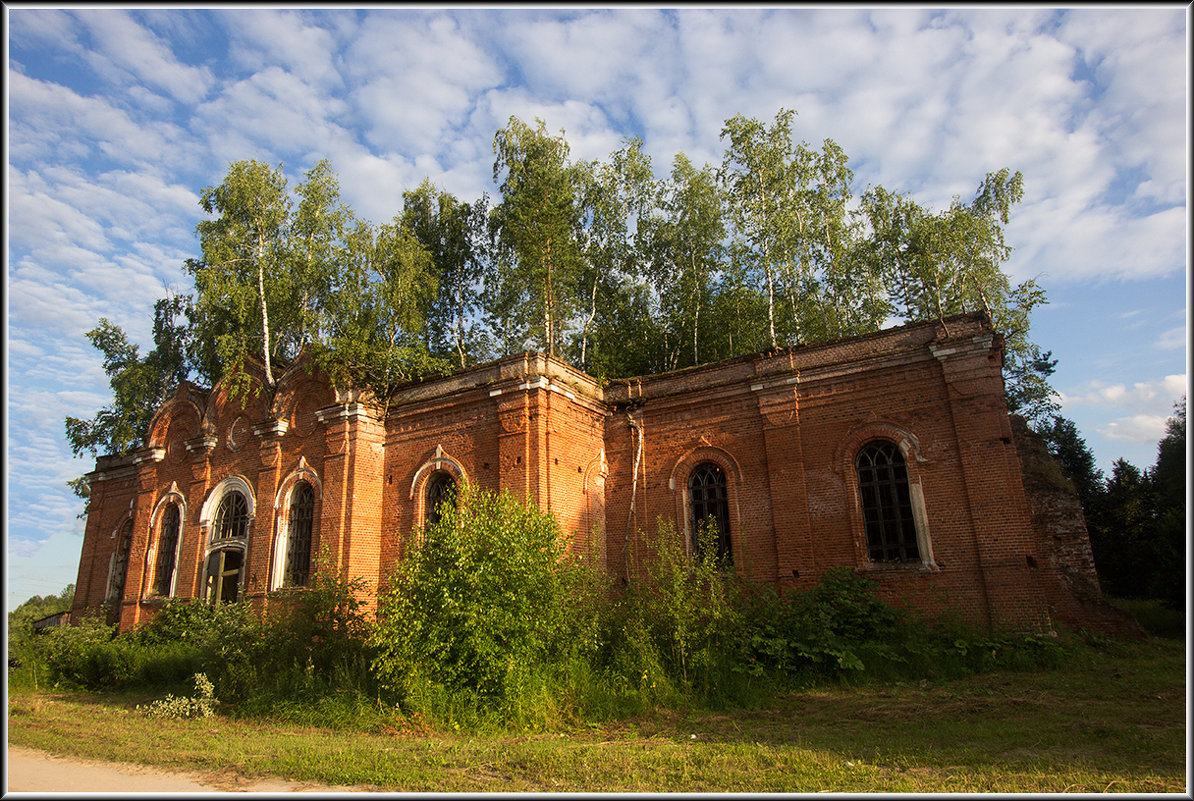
{"x":478,"y":603}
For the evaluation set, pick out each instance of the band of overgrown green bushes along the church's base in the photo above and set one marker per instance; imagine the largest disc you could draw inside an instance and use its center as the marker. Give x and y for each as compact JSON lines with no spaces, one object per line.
{"x":489,"y":621}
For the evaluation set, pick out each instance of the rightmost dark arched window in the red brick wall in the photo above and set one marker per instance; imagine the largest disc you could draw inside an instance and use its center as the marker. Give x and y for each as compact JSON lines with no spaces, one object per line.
{"x":887,"y":504}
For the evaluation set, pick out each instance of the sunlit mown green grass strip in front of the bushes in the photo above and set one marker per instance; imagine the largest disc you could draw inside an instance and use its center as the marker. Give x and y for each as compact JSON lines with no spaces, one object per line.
{"x":1113,"y":719}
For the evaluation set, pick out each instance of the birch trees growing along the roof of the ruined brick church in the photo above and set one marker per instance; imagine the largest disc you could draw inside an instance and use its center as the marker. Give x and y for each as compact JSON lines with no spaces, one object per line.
{"x":599,"y":263}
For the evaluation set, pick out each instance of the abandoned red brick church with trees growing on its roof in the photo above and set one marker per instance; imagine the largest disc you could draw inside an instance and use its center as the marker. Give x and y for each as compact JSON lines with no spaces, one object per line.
{"x":890,"y":453}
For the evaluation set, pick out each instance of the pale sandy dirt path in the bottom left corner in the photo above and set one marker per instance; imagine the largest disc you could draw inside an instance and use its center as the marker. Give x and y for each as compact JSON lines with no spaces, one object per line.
{"x":36,"y":772}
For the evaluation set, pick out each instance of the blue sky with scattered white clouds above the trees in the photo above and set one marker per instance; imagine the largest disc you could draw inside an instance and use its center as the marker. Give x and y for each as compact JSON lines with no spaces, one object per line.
{"x":119,"y":119}
